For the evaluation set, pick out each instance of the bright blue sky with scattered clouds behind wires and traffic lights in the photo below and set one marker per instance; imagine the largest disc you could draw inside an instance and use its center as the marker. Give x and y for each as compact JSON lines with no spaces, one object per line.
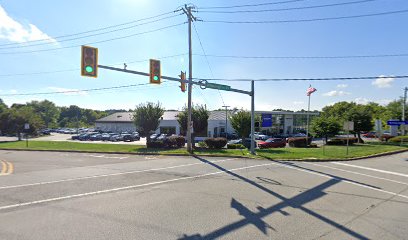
{"x":40,"y":51}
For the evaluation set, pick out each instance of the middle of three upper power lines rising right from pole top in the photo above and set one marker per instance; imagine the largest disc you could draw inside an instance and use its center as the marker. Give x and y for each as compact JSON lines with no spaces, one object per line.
{"x":291,"y":8}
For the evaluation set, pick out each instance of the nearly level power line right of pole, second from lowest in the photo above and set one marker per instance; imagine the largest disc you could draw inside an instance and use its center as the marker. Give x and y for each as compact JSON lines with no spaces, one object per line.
{"x":307,"y":57}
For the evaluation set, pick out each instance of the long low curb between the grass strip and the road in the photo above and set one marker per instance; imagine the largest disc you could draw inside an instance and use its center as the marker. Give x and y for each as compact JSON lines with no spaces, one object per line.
{"x":215,"y":155}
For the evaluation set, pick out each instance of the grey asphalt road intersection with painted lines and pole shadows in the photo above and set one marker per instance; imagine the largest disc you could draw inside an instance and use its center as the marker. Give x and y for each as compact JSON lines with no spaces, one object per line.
{"x":99,"y":196}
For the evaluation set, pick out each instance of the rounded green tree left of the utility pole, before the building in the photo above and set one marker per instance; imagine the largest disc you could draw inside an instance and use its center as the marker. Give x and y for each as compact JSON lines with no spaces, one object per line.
{"x":146,"y":117}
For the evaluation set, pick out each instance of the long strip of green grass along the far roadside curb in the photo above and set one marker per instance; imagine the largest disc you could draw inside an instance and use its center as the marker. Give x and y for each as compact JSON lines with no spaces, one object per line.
{"x":329,"y":152}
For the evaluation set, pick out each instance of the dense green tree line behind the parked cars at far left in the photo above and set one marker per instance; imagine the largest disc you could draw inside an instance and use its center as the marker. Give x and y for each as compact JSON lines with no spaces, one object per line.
{"x":45,"y":114}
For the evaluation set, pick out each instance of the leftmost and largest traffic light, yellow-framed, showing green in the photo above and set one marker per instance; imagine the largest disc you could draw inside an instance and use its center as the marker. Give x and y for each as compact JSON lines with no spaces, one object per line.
{"x":89,"y":61}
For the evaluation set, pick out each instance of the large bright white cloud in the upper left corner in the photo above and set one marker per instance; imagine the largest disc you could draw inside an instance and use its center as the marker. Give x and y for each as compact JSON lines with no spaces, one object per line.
{"x":14,"y":31}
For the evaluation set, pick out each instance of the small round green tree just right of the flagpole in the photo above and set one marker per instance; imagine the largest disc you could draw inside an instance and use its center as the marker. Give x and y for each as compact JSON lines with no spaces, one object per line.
{"x":325,"y":127}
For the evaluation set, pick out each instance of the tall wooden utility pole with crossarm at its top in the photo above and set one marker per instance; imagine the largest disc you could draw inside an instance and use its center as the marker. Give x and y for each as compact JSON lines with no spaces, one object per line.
{"x":191,"y":18}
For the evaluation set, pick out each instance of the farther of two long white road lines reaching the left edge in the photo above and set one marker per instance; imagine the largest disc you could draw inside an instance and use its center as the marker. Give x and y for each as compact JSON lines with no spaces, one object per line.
{"x":109,"y":175}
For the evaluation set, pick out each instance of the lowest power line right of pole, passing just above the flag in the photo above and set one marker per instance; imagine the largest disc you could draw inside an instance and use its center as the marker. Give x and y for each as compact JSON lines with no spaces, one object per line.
{"x":300,"y":79}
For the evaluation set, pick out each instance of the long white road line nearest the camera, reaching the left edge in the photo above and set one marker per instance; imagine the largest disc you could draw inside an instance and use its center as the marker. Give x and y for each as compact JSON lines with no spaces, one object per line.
{"x":125,"y":188}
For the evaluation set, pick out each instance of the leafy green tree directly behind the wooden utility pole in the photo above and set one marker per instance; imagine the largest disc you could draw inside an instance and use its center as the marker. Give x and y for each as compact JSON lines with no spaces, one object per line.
{"x":199,"y":116}
